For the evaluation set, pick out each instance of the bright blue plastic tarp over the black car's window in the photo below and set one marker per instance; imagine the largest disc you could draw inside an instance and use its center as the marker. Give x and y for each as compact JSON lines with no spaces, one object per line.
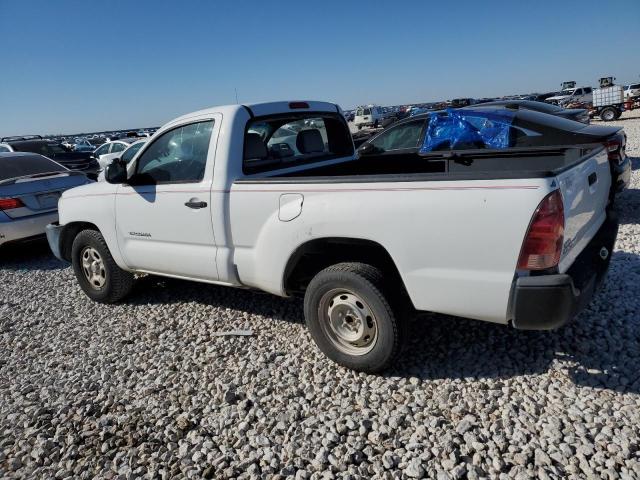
{"x":467,"y":129}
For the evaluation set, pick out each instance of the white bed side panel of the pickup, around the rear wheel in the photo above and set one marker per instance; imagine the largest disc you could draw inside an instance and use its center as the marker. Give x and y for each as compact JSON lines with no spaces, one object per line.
{"x":455,"y":243}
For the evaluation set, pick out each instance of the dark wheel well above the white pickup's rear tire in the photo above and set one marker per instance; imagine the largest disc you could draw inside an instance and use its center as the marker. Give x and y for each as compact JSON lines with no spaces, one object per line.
{"x":316,"y":255}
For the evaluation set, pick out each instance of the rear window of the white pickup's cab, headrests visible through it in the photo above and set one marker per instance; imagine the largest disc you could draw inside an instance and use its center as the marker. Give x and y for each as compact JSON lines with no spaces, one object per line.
{"x":288,"y":140}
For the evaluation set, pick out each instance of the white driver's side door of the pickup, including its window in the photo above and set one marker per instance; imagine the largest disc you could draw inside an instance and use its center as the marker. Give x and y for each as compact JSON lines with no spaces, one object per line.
{"x":163,"y":214}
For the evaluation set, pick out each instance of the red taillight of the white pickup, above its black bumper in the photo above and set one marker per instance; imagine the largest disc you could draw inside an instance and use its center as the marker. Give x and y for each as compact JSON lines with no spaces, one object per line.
{"x":542,"y":246}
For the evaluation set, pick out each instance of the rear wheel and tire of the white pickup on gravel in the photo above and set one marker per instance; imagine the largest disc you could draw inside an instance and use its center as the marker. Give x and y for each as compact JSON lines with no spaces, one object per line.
{"x":350,"y":318}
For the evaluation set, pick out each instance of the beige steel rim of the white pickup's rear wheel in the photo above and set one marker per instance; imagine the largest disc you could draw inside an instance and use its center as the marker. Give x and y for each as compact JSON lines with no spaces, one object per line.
{"x":348,"y":322}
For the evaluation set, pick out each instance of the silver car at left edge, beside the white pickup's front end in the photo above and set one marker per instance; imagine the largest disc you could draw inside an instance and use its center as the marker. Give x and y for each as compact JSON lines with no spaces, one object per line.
{"x":30,"y":186}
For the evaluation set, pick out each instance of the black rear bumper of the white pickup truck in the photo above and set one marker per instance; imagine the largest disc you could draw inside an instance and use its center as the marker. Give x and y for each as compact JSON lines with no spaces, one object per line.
{"x":549,"y":301}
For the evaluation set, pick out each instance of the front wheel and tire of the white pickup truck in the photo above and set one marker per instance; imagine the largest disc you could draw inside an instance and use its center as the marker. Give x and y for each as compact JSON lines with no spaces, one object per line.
{"x":90,"y":257}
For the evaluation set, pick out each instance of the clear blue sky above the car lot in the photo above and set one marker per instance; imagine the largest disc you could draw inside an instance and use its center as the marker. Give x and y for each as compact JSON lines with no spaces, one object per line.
{"x":73,"y":66}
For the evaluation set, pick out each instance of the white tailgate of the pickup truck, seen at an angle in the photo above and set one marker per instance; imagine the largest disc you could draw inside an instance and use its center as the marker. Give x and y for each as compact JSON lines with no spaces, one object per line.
{"x":585,"y":193}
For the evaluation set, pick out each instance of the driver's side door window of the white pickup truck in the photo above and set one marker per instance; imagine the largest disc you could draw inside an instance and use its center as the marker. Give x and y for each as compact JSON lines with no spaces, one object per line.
{"x":176,"y":156}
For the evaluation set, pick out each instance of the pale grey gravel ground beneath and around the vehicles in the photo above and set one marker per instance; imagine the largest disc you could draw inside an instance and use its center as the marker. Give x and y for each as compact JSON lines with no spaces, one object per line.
{"x":144,"y":388}
